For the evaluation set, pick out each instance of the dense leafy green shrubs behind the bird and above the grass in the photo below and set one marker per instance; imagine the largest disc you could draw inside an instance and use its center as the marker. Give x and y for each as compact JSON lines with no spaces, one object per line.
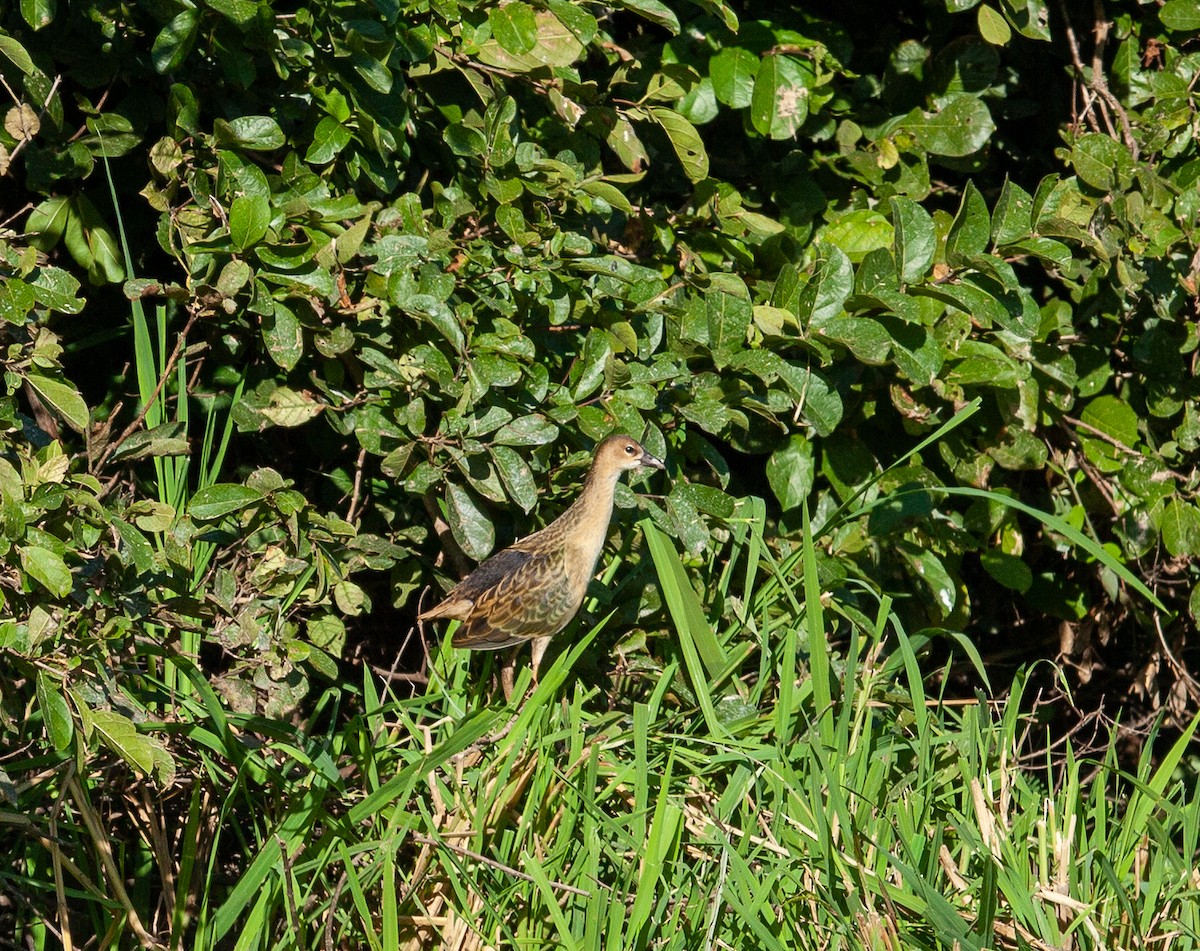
{"x":308,"y":308}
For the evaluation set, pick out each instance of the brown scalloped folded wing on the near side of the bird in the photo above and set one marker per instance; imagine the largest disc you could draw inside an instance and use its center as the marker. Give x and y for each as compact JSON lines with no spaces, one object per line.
{"x":532,"y":602}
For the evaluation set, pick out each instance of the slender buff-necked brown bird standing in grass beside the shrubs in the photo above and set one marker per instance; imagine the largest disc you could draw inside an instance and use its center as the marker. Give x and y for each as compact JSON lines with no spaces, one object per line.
{"x":533,"y":589}
